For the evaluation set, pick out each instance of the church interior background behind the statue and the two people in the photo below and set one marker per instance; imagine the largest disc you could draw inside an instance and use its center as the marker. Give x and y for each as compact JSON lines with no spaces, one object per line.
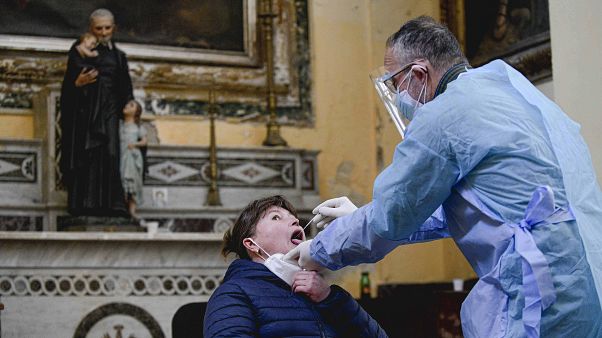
{"x":240,"y":99}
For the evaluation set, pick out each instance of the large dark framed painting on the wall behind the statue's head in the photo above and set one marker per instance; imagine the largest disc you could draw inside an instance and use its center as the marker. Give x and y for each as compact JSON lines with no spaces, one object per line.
{"x":191,"y":31}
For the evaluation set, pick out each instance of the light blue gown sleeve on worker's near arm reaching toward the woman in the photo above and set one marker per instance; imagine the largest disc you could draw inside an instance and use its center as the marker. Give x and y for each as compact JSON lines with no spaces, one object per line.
{"x":408,"y":194}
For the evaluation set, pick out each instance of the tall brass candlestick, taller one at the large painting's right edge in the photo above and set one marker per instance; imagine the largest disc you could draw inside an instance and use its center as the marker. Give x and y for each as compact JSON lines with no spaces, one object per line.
{"x":273,"y":137}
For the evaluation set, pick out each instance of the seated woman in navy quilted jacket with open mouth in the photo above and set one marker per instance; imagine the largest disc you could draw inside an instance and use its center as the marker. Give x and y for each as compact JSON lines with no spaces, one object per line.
{"x":264,"y":296}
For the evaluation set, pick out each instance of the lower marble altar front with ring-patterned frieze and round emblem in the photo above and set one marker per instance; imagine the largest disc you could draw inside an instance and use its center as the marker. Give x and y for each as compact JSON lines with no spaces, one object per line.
{"x":89,"y":285}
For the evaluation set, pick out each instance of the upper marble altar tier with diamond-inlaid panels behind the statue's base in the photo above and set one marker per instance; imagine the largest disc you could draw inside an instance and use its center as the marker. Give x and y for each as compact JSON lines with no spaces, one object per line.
{"x":174,"y":192}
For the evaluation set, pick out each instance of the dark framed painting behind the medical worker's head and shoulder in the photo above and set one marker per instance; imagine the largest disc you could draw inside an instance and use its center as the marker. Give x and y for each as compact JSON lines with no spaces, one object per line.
{"x":517,"y":31}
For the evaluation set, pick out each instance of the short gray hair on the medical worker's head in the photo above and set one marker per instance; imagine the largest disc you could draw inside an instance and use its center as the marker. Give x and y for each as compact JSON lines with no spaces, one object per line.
{"x":424,"y":38}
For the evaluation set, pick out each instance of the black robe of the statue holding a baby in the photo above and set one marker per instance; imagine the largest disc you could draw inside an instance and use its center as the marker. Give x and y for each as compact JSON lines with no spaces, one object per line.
{"x":89,"y":124}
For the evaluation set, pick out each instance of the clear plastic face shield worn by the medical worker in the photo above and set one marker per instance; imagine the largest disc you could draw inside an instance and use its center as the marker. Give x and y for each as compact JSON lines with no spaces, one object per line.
{"x":385,"y":85}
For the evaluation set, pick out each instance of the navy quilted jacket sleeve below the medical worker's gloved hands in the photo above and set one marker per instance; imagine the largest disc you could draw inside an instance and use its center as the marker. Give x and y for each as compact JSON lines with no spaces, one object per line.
{"x":340,"y":310}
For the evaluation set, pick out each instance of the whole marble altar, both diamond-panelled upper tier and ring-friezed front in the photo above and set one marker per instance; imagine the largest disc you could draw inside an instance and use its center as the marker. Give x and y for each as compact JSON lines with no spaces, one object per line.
{"x":88,"y":284}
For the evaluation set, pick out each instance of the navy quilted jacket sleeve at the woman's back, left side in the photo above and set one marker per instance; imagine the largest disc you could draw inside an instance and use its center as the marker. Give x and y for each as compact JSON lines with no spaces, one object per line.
{"x":229,"y":314}
